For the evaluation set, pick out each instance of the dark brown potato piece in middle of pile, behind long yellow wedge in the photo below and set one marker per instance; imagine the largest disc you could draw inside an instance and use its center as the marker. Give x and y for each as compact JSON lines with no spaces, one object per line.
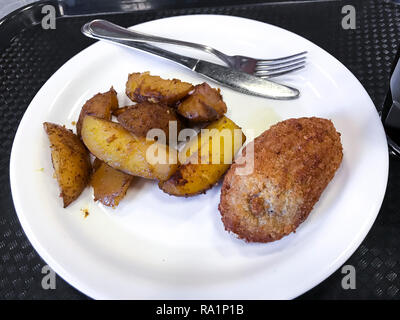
{"x":142,"y":117}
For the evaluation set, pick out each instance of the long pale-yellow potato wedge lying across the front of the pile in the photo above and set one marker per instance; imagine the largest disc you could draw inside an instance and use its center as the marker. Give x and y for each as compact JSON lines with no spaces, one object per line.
{"x":120,"y":149}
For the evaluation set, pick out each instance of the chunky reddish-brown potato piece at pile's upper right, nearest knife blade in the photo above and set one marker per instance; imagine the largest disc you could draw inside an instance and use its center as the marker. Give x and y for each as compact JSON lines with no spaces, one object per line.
{"x":203,"y":105}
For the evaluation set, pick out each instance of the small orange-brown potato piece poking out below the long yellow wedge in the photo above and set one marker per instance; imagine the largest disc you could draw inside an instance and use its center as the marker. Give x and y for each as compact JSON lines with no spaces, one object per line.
{"x":109,"y":184}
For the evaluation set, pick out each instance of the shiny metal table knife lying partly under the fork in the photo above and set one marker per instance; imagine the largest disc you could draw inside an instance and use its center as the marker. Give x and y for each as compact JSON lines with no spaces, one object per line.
{"x":236,"y":80}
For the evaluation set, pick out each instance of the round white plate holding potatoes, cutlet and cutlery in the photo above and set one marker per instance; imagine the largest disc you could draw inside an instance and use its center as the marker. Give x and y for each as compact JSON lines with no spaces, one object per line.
{"x":154,"y":246}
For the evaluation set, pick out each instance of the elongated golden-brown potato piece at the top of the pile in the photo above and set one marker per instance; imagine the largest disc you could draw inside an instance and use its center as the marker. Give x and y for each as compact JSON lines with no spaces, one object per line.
{"x":144,"y":87}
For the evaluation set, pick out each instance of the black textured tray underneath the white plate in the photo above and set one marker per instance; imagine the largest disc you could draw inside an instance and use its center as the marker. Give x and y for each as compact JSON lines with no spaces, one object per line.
{"x":29,"y":55}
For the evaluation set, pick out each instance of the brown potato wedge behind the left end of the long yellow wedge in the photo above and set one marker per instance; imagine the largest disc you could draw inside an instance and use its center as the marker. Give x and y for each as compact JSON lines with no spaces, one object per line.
{"x":101,"y":105}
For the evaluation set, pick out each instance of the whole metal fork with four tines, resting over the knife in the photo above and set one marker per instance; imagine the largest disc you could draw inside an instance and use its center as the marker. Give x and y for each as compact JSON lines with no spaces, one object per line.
{"x":264,"y":68}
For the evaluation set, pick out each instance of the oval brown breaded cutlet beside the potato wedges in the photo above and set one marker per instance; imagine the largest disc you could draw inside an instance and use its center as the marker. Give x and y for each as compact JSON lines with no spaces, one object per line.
{"x":293,"y":163}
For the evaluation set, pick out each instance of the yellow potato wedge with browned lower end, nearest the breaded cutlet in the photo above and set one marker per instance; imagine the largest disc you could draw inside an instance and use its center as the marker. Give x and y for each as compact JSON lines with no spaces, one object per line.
{"x":205,"y":159}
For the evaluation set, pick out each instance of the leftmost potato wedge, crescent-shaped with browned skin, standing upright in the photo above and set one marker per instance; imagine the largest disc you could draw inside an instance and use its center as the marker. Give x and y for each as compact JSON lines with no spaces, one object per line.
{"x":70,"y":161}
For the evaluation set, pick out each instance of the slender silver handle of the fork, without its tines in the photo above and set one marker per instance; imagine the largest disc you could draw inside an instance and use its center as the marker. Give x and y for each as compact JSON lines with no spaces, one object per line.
{"x":105,"y":28}
